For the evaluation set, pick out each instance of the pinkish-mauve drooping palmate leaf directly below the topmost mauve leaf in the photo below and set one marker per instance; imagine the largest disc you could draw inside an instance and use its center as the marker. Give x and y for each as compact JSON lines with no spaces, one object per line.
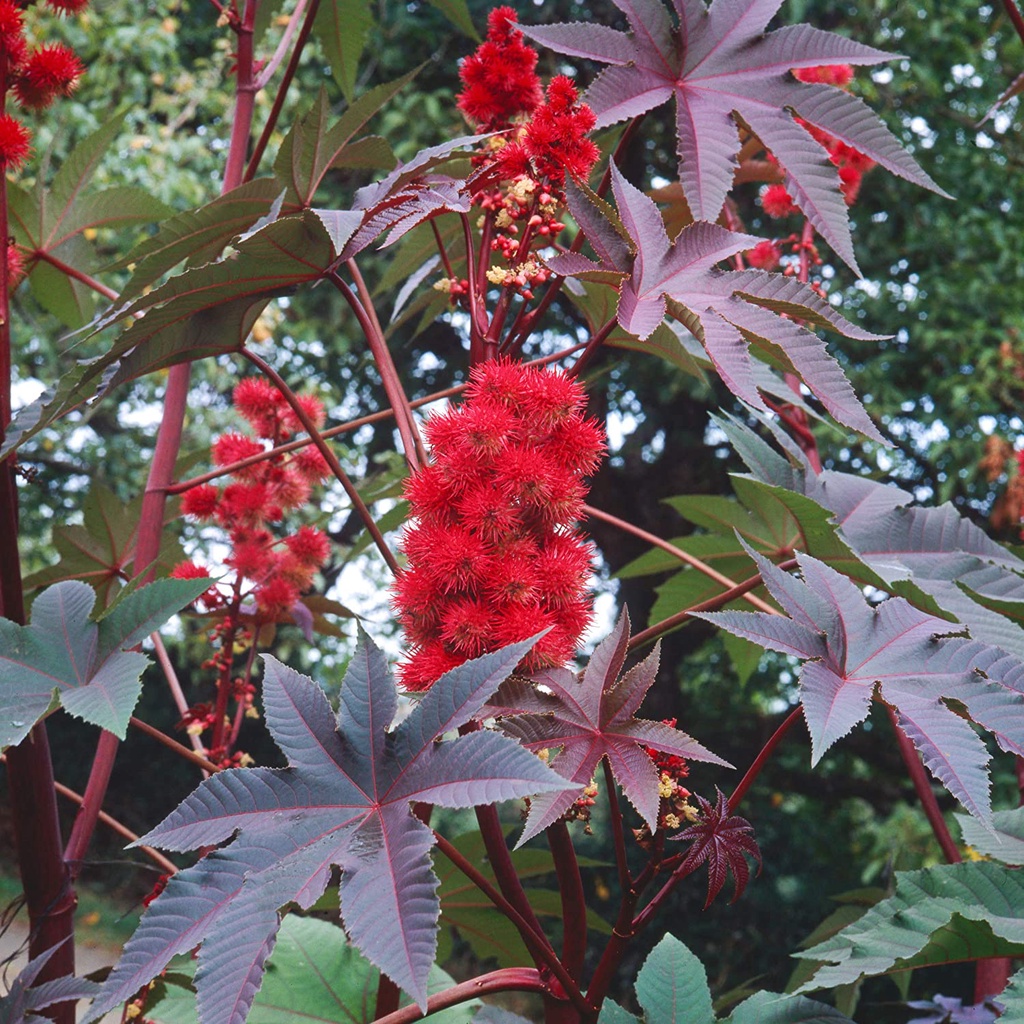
{"x":728,"y":311}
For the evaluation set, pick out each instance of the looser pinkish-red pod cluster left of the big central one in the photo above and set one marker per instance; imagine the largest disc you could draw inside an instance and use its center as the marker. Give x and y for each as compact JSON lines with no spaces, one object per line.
{"x":280,"y":569}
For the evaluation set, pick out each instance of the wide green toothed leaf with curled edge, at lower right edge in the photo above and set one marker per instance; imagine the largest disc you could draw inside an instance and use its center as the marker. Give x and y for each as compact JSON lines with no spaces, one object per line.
{"x":937,"y":916}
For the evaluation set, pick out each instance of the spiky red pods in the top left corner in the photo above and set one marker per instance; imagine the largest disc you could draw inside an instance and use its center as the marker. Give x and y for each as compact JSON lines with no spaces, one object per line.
{"x":36,"y":76}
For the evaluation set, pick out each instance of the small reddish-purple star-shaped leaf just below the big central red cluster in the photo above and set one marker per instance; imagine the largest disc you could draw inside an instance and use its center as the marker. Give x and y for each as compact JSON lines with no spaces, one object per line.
{"x":590,"y":718}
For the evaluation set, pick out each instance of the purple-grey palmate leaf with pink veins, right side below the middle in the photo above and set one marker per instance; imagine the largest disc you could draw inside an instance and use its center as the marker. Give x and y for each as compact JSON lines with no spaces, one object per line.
{"x":851,"y":650}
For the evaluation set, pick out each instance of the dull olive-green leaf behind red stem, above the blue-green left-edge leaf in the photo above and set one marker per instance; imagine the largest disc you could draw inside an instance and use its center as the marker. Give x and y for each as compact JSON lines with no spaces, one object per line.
{"x":101,"y":551}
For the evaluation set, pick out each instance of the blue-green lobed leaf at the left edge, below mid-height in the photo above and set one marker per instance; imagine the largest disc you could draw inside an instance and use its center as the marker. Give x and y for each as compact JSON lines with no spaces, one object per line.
{"x":63,"y":659}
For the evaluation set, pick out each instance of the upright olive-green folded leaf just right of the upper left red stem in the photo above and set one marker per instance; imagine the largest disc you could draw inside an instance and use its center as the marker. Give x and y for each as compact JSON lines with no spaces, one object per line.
{"x":312,"y":149}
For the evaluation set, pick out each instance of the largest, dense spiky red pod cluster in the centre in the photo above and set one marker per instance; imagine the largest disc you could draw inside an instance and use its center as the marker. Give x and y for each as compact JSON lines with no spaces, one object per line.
{"x":493,"y":553}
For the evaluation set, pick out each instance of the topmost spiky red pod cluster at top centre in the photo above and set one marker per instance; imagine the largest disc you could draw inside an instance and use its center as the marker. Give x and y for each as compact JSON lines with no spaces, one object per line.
{"x":500,"y":78}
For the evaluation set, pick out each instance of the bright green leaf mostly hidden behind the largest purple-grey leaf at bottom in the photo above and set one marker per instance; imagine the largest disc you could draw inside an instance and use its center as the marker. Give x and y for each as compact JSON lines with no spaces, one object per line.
{"x":313,"y":976}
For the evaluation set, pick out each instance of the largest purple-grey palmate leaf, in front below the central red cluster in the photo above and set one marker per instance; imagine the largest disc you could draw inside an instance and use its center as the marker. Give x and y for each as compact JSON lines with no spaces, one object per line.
{"x":345,"y":800}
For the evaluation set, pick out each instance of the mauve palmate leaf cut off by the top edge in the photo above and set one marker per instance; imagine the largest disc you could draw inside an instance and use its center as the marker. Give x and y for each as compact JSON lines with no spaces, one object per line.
{"x":724,"y":72}
